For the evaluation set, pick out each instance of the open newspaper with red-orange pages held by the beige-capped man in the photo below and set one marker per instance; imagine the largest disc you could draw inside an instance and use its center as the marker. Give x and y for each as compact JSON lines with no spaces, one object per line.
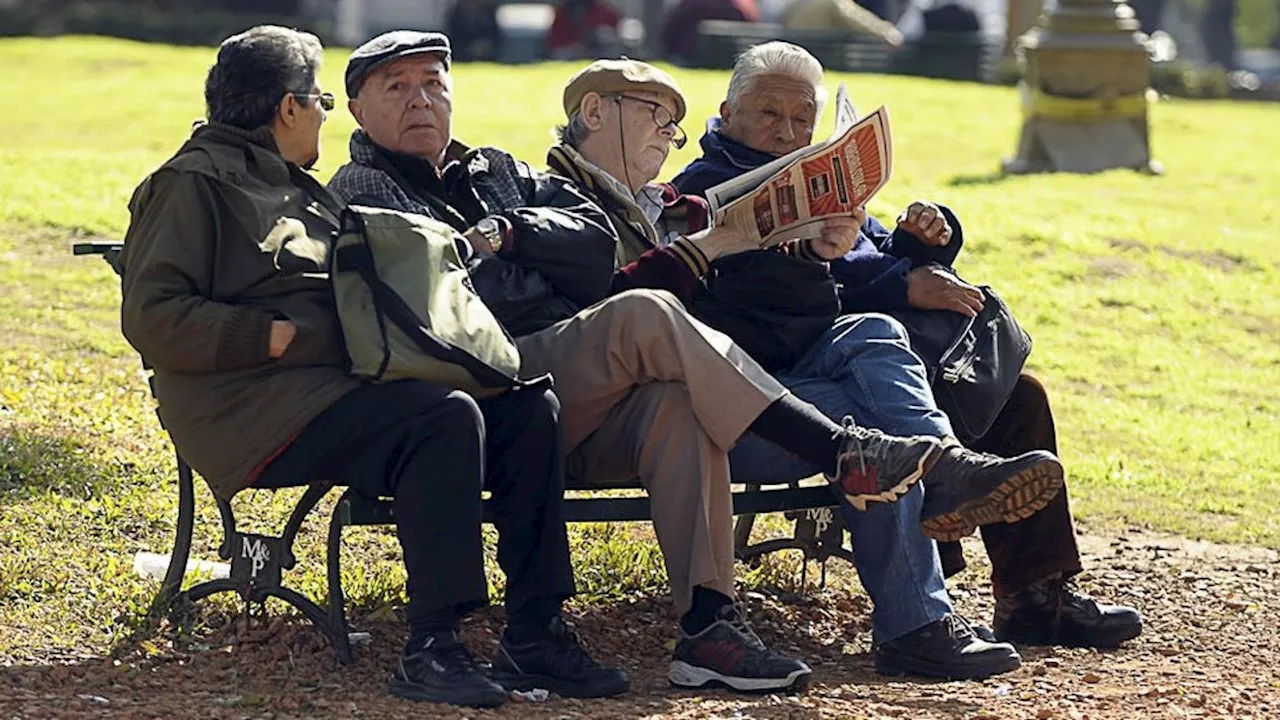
{"x":789,"y":197}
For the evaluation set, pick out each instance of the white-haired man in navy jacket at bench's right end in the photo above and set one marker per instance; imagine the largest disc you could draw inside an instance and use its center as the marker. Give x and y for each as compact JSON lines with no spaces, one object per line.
{"x":774,"y":102}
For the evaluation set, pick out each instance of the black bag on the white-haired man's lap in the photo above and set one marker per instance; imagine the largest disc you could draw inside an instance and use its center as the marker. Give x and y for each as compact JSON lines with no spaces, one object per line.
{"x":973,"y":363}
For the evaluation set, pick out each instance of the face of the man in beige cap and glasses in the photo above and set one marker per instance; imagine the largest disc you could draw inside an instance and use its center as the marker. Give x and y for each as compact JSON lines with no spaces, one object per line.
{"x":647,"y":144}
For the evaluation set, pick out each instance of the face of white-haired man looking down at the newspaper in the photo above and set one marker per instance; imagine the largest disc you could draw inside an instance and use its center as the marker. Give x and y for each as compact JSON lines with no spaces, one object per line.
{"x":776,"y":117}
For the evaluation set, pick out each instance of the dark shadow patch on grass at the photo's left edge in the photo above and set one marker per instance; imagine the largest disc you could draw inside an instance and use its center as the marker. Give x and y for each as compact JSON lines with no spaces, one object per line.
{"x":34,"y":463}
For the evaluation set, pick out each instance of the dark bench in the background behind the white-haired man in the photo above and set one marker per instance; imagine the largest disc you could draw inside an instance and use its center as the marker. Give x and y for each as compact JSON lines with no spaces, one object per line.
{"x":939,"y":54}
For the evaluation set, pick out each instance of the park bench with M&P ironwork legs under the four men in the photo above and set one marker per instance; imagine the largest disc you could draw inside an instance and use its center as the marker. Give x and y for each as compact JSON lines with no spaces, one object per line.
{"x":258,"y":562}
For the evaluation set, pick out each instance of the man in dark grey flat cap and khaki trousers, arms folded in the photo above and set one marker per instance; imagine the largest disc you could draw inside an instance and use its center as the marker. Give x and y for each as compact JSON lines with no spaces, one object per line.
{"x":647,"y":391}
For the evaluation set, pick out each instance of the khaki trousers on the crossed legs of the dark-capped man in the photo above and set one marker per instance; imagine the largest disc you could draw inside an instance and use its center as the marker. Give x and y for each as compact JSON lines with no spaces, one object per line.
{"x":648,"y":391}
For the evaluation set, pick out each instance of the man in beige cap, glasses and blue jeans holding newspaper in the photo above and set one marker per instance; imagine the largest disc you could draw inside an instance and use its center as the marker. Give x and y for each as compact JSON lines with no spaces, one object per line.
{"x":621,"y":122}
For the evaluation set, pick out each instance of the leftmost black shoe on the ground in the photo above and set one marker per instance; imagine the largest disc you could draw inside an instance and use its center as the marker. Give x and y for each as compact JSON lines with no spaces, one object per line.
{"x":444,"y":671}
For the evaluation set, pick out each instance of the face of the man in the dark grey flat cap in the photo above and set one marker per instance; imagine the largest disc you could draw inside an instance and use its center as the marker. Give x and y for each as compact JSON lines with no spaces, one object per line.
{"x":408,"y":107}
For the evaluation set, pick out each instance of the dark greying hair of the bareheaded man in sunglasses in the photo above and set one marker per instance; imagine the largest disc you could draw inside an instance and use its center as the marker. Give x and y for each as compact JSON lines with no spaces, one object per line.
{"x":258,"y":69}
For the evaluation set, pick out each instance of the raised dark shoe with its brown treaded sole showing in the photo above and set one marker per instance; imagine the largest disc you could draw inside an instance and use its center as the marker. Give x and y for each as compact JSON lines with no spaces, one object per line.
{"x":966,"y":490}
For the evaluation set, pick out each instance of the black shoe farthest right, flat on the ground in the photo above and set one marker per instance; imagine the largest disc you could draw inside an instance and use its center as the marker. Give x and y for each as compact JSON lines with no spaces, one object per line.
{"x":1057,"y":613}
